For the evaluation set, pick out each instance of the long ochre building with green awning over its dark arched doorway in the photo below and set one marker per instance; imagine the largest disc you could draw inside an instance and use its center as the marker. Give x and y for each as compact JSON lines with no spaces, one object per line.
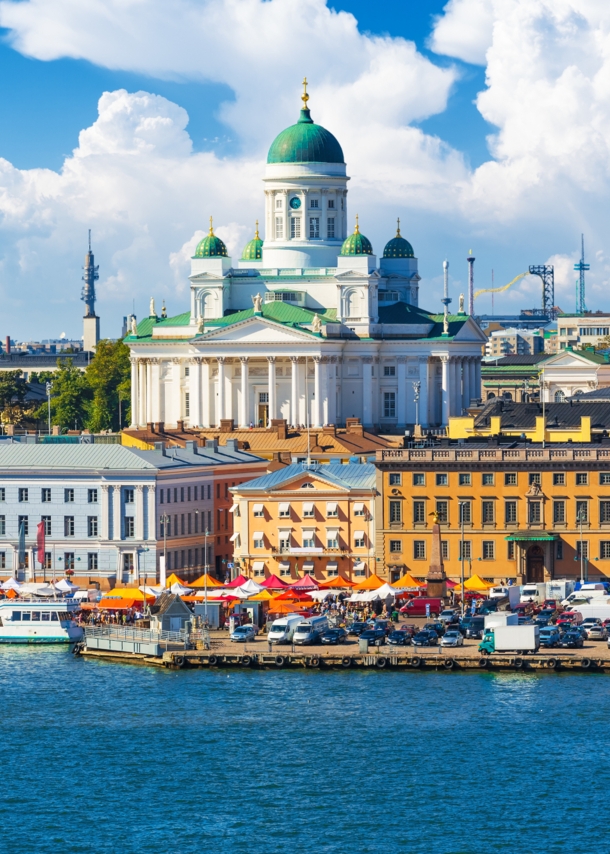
{"x":530,"y":513}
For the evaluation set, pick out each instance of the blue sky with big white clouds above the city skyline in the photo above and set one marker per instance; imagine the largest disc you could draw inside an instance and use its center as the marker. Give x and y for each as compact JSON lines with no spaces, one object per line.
{"x":483,"y":124}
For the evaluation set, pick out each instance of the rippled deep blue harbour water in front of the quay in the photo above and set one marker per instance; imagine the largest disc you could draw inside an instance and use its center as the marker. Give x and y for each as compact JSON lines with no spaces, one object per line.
{"x":117,"y":758}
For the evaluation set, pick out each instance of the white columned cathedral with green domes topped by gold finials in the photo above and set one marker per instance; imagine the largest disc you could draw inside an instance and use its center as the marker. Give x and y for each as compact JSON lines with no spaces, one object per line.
{"x":307,"y":325}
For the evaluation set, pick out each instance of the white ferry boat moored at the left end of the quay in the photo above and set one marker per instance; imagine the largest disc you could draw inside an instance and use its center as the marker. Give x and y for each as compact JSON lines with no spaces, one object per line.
{"x":36,"y":621}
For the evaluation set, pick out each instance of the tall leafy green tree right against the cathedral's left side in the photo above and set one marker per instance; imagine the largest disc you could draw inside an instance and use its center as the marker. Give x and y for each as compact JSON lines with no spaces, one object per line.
{"x":109,"y":379}
